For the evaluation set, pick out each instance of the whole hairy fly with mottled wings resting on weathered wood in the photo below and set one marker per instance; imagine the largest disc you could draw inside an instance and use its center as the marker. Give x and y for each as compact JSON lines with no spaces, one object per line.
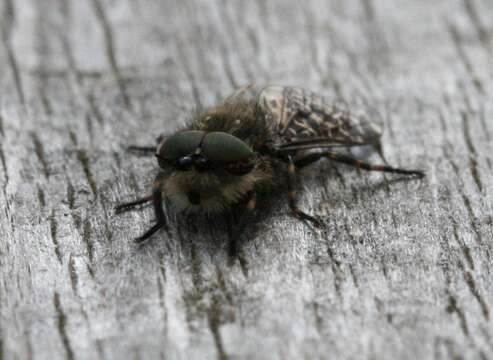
{"x":253,"y":141}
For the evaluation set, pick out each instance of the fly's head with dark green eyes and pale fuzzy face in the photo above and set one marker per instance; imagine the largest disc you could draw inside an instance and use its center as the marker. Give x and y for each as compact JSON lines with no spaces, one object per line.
{"x":208,"y":169}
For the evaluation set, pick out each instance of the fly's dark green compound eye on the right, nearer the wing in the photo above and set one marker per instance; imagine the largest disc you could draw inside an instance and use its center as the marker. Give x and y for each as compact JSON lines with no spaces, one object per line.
{"x":222,"y":148}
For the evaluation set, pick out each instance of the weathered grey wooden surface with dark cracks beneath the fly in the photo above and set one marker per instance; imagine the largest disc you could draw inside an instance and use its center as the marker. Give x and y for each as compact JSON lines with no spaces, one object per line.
{"x":403,"y":269}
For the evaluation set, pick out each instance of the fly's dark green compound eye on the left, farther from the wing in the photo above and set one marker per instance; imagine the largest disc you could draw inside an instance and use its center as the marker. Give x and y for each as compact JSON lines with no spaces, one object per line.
{"x":180,"y":144}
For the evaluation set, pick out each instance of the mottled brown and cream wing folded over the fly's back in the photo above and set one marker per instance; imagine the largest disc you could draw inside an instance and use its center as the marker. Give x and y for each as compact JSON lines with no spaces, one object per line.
{"x":304,"y":117}
